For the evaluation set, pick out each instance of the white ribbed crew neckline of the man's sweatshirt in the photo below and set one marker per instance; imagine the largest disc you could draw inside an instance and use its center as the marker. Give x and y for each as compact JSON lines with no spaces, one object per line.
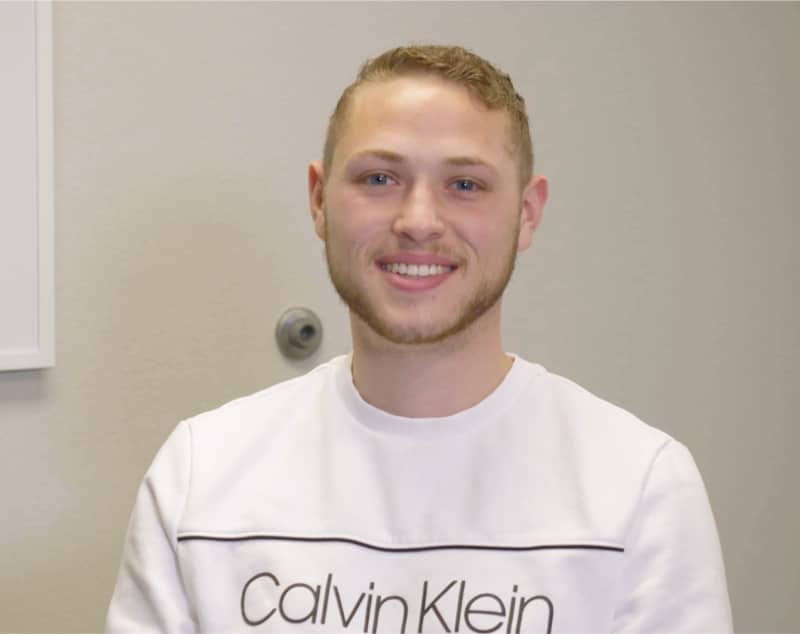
{"x":489,"y":408}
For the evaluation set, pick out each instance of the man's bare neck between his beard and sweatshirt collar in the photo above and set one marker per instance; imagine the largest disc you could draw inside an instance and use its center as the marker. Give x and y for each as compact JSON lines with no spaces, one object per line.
{"x":430,"y":380}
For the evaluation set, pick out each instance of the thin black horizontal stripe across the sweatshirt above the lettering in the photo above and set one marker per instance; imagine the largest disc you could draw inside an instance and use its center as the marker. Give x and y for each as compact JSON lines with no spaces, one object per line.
{"x":393,"y":549}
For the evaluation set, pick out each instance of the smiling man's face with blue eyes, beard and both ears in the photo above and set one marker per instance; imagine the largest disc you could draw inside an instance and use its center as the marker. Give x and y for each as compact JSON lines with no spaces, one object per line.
{"x":421,"y":213}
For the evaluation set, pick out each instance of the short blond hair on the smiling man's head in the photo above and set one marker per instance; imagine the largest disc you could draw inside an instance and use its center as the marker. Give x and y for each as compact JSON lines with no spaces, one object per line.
{"x":491,"y":86}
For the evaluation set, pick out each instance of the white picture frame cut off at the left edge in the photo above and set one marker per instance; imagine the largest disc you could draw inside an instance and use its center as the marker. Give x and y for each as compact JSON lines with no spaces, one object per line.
{"x":27,"y":315}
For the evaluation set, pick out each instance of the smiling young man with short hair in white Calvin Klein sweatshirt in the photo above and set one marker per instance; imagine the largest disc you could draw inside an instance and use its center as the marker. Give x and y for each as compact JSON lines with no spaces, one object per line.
{"x":428,"y":482}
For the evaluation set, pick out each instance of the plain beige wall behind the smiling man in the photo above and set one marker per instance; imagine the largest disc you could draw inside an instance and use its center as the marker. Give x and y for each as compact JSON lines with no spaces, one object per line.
{"x":664,"y":276}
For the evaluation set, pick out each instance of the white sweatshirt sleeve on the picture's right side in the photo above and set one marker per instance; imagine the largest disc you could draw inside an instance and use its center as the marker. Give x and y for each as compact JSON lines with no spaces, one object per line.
{"x":674,"y":578}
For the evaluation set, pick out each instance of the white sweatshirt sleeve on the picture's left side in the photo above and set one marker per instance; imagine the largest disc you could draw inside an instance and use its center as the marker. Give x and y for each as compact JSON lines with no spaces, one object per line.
{"x":149,"y":595}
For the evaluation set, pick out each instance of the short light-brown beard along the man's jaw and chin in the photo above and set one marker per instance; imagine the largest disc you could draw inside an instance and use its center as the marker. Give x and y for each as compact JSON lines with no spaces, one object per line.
{"x":484,"y":297}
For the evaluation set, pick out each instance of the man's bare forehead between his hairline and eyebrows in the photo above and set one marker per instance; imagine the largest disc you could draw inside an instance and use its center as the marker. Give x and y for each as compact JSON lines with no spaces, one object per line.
{"x":400,"y":112}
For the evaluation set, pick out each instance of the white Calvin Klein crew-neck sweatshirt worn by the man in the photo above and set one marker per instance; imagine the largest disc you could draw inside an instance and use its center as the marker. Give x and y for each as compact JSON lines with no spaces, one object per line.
{"x":303,"y":509}
